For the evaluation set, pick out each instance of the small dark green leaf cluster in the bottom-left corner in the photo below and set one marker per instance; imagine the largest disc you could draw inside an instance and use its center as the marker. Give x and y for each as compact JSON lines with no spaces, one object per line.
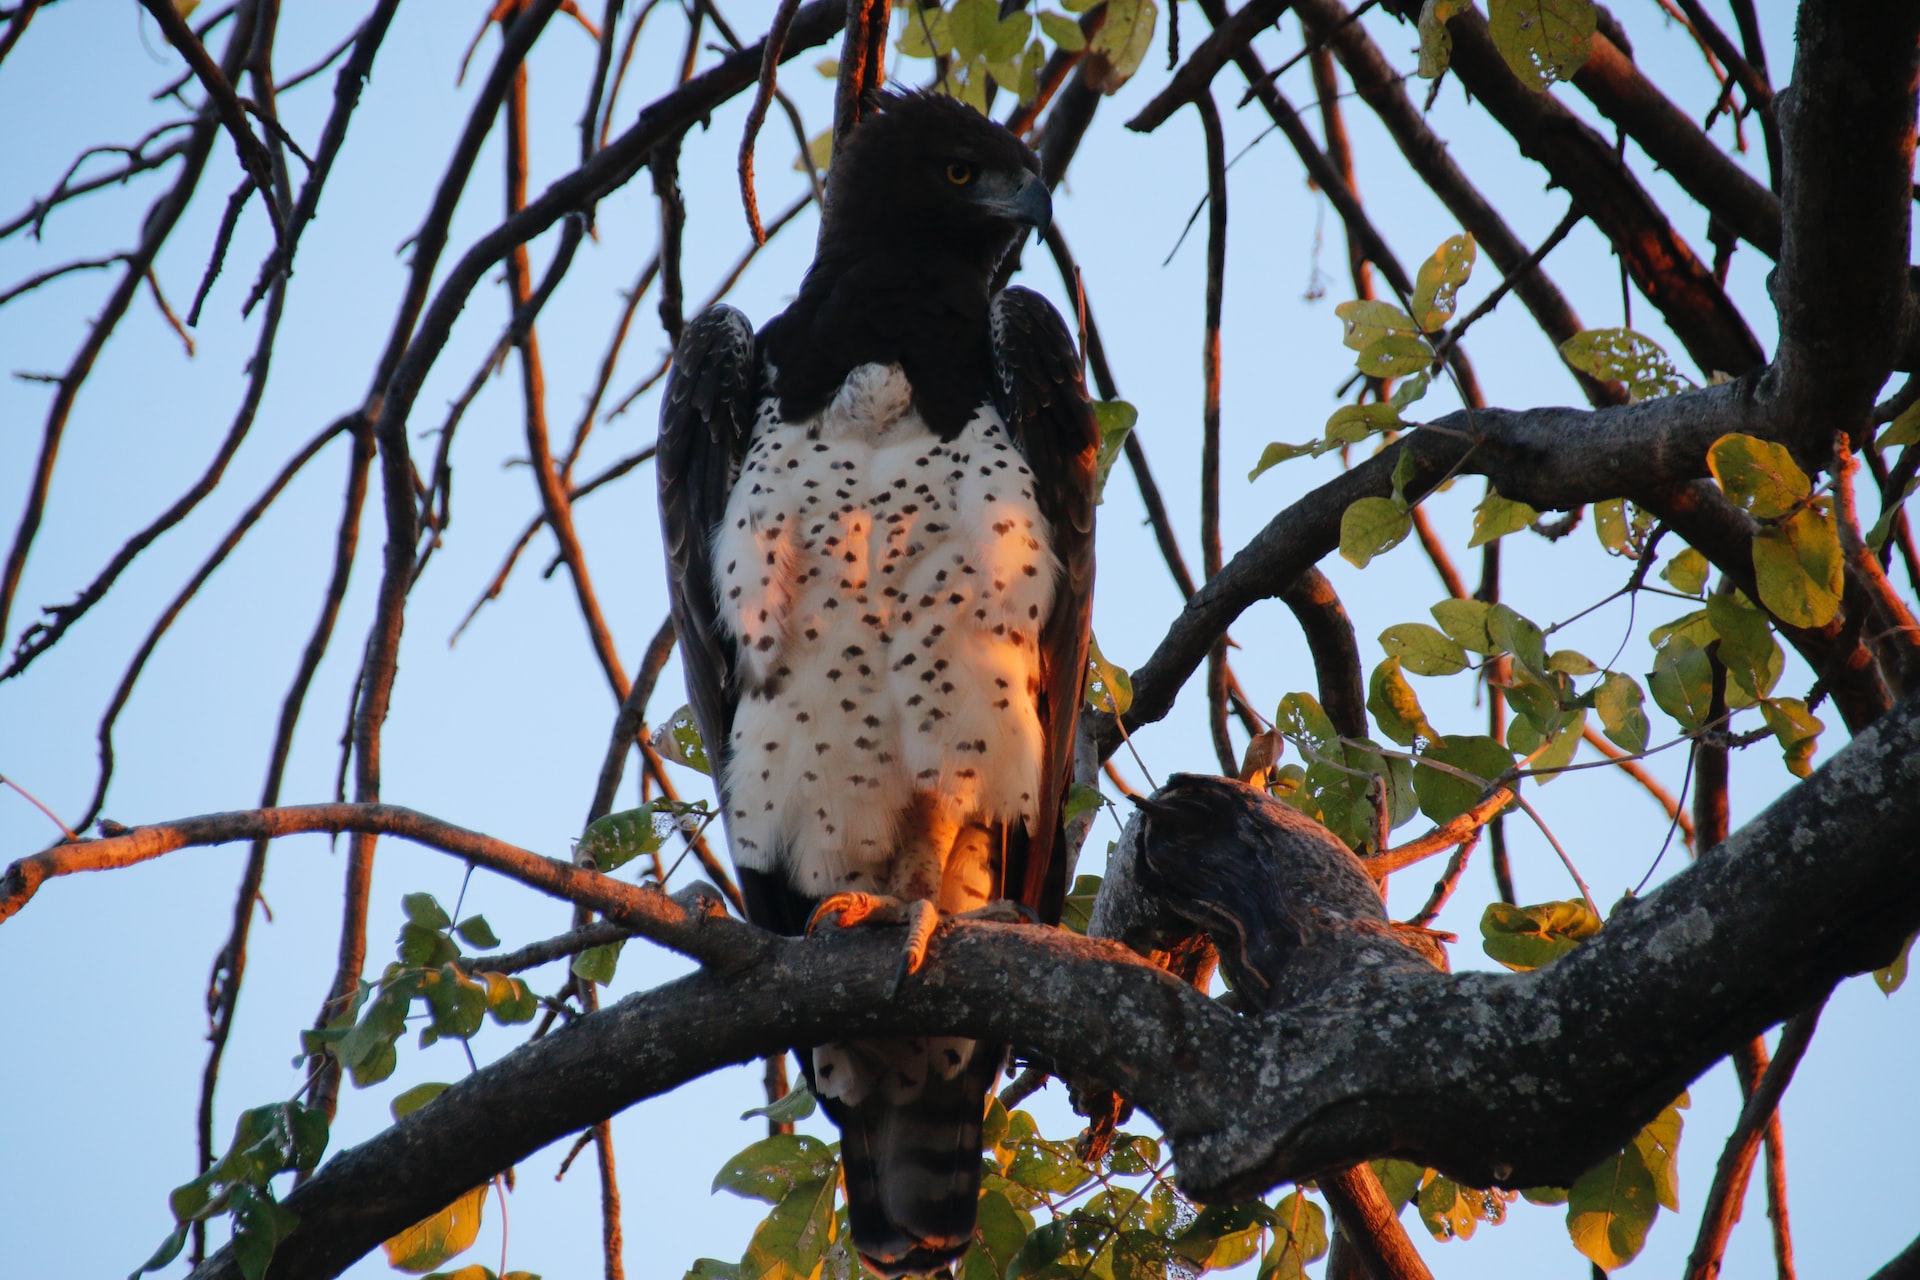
{"x":283,"y":1137}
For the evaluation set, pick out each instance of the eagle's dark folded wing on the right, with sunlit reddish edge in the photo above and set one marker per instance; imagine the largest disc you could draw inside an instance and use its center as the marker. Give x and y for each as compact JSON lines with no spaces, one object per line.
{"x":1044,"y":400}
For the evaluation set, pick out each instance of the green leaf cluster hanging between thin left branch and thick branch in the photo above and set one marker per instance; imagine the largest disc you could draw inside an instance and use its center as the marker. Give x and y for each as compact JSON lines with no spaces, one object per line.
{"x":429,"y":968}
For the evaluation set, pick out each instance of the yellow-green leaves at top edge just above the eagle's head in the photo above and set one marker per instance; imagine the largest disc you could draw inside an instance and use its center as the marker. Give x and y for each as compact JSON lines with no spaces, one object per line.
{"x":980,"y":45}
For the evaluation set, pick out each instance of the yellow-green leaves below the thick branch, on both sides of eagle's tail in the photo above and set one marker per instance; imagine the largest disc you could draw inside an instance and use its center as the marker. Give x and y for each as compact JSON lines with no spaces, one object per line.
{"x":1044,"y":1214}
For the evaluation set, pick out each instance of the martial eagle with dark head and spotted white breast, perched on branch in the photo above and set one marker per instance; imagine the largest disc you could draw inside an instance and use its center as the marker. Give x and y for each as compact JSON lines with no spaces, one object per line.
{"x":878,"y":521}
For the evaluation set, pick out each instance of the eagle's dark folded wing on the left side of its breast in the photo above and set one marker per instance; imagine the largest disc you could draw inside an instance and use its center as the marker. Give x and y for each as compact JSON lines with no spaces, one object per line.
{"x":706,"y":427}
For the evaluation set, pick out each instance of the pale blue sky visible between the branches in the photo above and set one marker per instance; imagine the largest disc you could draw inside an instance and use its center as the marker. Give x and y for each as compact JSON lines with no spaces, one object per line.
{"x":101,"y":1047}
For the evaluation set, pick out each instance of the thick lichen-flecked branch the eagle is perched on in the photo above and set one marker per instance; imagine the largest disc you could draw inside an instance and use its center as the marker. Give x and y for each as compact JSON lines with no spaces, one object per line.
{"x":1374,"y":1062}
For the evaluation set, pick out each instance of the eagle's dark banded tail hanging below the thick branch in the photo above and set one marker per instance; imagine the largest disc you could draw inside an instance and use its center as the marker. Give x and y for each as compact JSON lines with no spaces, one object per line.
{"x":913,"y":1170}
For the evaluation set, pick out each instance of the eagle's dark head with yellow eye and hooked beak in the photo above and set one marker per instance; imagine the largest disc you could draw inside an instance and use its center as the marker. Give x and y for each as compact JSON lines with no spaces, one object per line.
{"x":930,"y":170}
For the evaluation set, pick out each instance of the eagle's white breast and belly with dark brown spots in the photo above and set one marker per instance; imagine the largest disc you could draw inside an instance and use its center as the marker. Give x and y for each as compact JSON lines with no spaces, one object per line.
{"x":886,"y":592}
